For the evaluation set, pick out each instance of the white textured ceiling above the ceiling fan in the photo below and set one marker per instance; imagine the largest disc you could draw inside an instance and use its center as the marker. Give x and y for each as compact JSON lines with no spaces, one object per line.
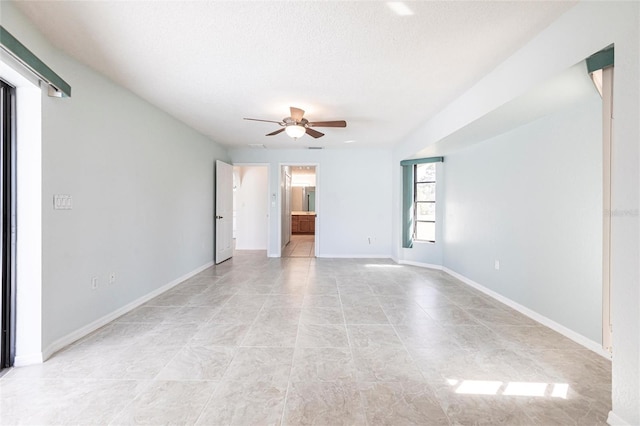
{"x":211,"y":63}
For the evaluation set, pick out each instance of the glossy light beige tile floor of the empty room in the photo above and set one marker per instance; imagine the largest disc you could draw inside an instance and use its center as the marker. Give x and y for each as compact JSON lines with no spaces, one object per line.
{"x":315,"y":341}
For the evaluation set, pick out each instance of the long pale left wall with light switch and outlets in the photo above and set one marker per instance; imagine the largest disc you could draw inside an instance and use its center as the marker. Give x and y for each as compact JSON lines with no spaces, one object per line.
{"x":142,"y":187}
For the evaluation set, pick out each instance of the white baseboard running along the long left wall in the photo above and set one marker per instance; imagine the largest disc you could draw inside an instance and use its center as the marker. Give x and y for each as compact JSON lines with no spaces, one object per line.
{"x":101,"y":322}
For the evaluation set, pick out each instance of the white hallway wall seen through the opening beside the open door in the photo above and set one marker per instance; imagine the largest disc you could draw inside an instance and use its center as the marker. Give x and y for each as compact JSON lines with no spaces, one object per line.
{"x":252,"y":210}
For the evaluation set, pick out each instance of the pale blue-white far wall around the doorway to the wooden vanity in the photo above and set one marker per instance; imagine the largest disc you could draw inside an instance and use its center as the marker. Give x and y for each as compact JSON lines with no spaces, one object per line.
{"x":352,"y":198}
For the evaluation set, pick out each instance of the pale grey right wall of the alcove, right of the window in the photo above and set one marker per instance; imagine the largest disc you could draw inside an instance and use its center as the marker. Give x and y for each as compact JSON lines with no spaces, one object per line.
{"x":532,"y":199}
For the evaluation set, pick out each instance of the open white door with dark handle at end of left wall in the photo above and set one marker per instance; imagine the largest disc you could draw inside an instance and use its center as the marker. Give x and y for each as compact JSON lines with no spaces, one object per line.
{"x":224,"y":211}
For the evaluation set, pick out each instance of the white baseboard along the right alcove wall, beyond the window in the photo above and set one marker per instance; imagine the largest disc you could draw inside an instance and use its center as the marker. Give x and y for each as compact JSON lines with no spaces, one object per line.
{"x":578,"y":338}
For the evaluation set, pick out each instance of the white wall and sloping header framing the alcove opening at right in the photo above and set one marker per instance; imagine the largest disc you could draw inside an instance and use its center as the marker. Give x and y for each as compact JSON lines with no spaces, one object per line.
{"x":583,"y":30}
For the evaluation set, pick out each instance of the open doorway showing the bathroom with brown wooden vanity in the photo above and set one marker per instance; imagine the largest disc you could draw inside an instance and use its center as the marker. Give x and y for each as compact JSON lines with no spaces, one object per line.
{"x":299,"y":211}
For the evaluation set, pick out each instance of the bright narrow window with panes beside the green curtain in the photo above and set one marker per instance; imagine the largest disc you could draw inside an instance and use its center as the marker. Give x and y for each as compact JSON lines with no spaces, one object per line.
{"x":424,"y":202}
